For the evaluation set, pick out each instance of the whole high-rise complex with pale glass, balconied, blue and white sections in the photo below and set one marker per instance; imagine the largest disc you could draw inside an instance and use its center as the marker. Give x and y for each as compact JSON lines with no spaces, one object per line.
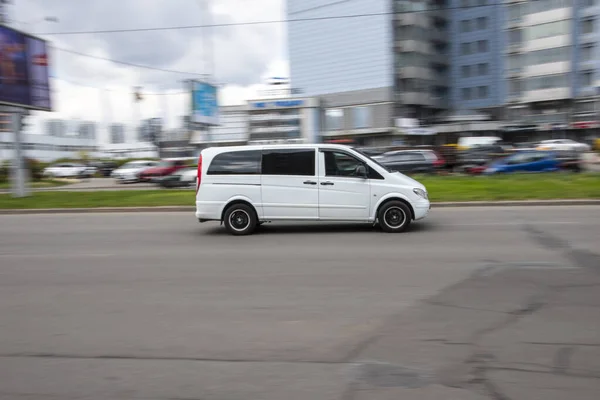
{"x":533,"y":63}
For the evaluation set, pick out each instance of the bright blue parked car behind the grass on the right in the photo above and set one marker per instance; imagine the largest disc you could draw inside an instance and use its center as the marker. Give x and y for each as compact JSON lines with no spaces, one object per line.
{"x":527,"y":161}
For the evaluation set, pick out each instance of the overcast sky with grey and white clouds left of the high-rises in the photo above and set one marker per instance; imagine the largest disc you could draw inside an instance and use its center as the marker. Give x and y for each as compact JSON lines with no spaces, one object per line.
{"x":244,"y":56}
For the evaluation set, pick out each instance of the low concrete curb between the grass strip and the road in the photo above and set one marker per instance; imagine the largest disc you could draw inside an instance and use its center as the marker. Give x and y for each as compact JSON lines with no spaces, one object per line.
{"x":513,"y":203}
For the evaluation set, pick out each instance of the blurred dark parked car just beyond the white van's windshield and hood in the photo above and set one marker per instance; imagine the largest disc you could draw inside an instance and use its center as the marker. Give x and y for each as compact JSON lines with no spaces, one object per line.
{"x":411,"y":161}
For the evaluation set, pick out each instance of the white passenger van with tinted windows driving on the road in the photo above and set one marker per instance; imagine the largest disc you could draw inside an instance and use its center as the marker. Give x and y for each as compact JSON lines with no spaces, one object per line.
{"x":248,"y":185}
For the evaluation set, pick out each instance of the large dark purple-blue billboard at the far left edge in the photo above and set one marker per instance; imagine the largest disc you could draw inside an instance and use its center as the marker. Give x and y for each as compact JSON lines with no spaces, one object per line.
{"x":24,"y":78}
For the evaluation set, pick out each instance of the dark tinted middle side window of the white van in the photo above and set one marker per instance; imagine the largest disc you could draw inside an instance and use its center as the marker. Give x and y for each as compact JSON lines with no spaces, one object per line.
{"x":289,"y":162}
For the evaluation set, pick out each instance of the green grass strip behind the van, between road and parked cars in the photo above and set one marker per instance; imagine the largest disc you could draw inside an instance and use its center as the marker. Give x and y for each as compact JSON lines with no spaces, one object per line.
{"x":440,"y":188}
